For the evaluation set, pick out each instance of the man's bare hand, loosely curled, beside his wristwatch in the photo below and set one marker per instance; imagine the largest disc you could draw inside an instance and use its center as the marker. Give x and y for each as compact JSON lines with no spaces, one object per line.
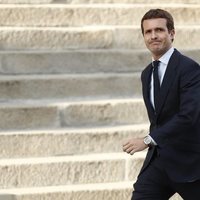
{"x":134,"y":145}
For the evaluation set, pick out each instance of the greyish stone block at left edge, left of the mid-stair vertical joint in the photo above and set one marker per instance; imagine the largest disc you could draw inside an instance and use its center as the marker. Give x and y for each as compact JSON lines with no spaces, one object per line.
{"x":35,"y":117}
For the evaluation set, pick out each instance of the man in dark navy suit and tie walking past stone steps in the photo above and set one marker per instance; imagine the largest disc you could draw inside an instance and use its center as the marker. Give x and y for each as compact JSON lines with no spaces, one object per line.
{"x":172,"y":99}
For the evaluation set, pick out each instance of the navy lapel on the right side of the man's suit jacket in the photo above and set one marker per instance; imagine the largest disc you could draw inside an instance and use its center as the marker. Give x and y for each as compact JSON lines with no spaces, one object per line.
{"x":168,"y":78}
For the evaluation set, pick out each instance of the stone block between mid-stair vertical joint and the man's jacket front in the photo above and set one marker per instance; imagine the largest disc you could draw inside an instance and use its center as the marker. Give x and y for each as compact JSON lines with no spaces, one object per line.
{"x":105,"y":113}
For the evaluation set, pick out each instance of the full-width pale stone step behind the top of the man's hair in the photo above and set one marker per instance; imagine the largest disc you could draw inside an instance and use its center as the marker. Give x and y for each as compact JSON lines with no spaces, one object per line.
{"x":92,"y":14}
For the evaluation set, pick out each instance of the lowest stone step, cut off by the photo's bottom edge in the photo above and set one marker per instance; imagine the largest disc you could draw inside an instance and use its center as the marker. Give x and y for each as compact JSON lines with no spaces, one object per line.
{"x":106,"y":191}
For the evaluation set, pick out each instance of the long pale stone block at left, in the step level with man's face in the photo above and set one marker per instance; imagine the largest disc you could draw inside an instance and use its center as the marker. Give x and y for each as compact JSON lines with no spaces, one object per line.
{"x":54,"y":38}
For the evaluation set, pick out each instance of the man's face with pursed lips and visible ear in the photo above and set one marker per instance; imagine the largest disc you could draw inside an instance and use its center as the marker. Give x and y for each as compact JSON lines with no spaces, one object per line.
{"x":157,"y":37}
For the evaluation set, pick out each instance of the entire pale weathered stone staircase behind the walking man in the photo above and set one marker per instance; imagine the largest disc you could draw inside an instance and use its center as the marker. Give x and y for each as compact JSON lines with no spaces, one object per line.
{"x":70,"y":94}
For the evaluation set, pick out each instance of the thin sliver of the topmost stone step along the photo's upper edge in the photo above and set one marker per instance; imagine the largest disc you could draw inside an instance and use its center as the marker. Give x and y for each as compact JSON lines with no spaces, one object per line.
{"x":94,"y":1}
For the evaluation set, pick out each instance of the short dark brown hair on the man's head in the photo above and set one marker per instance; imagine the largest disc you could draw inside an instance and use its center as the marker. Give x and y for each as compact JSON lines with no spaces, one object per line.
{"x":158,"y":13}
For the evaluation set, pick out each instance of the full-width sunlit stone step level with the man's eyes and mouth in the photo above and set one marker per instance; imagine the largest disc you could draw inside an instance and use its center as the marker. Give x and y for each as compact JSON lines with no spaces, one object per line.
{"x":105,"y":37}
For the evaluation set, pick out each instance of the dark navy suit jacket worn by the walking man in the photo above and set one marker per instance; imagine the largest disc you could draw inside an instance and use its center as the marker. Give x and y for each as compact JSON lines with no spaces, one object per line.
{"x":175,"y":126}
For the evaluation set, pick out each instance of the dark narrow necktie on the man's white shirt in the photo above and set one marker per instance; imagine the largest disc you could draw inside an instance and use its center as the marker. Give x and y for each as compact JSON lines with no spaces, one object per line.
{"x":156,"y":83}
